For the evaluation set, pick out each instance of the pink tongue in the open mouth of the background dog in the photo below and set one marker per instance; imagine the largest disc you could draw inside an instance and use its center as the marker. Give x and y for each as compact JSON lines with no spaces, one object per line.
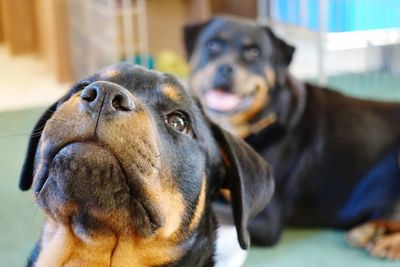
{"x":221,"y":101}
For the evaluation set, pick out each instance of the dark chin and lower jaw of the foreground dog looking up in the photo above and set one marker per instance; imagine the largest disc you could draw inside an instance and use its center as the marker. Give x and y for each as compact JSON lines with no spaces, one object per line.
{"x":86,"y":185}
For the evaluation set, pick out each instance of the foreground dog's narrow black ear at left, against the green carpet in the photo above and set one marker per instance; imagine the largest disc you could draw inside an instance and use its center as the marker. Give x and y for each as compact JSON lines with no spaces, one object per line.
{"x":26,"y":177}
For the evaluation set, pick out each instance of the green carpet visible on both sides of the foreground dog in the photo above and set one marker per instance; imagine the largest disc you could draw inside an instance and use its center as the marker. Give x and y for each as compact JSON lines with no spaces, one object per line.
{"x":20,"y":219}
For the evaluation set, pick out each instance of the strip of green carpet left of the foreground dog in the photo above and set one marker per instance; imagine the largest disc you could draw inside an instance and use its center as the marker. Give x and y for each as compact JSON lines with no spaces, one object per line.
{"x":20,"y":219}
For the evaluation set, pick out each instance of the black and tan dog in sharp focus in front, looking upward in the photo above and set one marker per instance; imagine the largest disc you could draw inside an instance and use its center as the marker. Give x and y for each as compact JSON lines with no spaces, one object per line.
{"x":125,"y":167}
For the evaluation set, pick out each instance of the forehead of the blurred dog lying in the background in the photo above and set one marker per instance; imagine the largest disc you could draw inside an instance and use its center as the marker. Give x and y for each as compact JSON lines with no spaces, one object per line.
{"x":237,"y":30}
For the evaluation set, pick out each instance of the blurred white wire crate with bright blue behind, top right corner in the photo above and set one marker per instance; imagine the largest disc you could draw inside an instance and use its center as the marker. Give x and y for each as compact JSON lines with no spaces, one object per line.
{"x":351,"y":45}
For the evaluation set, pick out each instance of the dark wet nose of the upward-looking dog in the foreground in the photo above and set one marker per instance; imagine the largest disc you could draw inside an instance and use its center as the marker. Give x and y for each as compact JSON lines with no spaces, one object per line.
{"x":107,"y":97}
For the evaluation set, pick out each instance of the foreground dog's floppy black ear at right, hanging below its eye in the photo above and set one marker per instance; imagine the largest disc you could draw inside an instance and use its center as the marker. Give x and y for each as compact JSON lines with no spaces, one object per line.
{"x":248,"y":178}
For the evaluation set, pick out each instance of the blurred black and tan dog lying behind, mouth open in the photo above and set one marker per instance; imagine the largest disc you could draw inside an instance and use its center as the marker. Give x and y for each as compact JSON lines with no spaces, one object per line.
{"x":335,"y":158}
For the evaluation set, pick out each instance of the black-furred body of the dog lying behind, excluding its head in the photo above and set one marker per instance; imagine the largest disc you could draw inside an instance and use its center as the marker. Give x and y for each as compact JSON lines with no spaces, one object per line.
{"x":338,"y":145}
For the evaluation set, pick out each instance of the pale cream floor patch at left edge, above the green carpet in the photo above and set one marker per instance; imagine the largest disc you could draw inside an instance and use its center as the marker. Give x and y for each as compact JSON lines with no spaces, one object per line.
{"x":25,"y":81}
